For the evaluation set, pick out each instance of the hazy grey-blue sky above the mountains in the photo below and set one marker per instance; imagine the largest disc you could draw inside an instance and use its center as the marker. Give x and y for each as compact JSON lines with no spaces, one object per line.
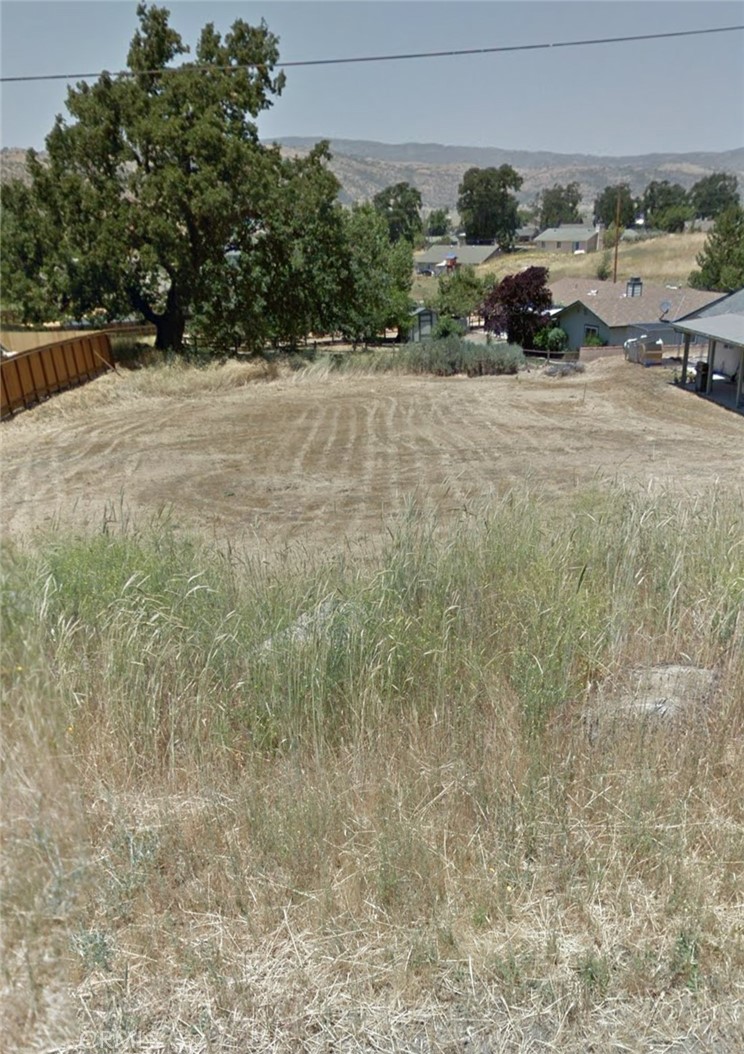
{"x":676,"y":95}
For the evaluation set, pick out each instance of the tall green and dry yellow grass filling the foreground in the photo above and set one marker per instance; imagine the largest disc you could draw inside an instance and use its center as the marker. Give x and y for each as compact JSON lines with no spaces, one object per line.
{"x":356,"y":806}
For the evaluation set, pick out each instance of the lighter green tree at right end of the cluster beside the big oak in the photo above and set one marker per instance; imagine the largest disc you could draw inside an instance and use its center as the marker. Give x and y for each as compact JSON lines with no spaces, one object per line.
{"x":378,"y":278}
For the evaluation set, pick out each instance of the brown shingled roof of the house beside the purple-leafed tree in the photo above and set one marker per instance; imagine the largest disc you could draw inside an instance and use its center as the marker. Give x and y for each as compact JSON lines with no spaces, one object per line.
{"x":610,"y":303}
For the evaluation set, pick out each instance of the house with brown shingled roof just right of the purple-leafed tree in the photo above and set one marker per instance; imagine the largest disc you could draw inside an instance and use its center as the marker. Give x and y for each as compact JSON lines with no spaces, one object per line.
{"x":616,"y":313}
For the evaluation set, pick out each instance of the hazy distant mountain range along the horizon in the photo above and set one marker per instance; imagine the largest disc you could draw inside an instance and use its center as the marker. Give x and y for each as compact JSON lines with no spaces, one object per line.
{"x":364,"y":168}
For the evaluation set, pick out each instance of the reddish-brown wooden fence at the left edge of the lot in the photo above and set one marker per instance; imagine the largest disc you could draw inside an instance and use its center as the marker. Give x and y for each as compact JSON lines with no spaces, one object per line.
{"x":29,"y":377}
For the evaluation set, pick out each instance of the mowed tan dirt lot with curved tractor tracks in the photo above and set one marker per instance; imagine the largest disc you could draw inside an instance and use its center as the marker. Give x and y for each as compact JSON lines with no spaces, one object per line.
{"x":326,"y":462}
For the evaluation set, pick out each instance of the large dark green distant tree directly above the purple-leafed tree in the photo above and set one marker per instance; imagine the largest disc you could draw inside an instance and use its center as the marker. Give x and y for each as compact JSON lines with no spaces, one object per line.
{"x":487,"y":208}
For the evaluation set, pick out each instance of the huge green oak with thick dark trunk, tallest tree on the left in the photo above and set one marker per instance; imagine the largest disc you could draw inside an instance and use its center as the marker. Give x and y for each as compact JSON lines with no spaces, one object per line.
{"x":156,"y":183}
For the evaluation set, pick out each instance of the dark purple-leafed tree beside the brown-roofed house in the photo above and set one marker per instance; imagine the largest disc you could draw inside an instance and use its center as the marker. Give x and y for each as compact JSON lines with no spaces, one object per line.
{"x":519,"y":305}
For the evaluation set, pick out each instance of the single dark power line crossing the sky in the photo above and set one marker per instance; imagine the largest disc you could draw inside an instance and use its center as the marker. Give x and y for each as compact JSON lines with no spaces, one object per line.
{"x":385,"y":58}
